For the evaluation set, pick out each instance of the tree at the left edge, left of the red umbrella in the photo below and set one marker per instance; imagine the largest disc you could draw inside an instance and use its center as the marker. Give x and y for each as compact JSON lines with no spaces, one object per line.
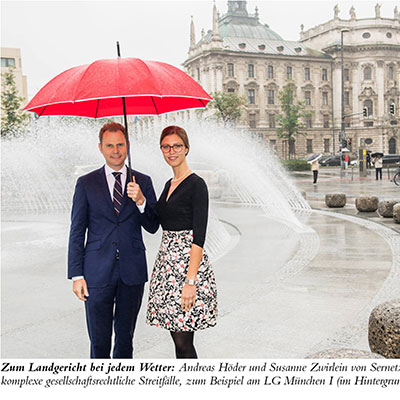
{"x":12,"y":117}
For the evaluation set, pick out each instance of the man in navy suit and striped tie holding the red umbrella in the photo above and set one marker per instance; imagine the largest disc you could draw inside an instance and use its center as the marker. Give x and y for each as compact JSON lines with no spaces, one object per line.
{"x":109,"y":268}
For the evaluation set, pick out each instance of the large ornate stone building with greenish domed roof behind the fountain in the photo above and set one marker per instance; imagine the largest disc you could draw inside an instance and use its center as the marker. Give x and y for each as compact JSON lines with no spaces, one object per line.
{"x":242,"y":55}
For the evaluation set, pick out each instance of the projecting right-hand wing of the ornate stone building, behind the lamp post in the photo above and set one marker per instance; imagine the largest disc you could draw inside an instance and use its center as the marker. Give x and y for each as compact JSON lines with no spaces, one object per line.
{"x":371,"y":74}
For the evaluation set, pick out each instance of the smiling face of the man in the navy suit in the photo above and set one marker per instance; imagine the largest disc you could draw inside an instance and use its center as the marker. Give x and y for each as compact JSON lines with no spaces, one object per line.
{"x":113,"y":148}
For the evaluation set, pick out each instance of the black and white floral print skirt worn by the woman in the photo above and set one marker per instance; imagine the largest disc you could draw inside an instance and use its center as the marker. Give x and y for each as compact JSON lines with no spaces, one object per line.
{"x":167,"y":281}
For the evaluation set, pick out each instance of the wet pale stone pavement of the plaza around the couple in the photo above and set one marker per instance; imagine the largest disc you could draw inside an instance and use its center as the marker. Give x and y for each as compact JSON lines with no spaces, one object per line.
{"x":283,"y":293}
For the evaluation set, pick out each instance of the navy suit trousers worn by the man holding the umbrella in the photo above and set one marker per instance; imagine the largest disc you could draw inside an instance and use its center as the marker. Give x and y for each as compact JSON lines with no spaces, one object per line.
{"x":116,"y":302}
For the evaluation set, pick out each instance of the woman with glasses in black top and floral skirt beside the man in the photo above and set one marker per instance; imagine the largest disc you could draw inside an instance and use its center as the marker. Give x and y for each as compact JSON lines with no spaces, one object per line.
{"x":183,"y":293}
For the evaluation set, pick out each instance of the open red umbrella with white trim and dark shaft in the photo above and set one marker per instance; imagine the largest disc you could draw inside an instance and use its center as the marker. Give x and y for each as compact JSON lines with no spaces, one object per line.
{"x":116,"y":87}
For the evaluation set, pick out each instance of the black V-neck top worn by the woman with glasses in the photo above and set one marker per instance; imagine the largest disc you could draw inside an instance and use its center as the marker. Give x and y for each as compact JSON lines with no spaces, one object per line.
{"x":186,"y":208}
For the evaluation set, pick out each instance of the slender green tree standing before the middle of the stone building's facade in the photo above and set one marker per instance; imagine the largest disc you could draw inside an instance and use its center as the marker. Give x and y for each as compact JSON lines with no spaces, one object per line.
{"x":289,"y":122}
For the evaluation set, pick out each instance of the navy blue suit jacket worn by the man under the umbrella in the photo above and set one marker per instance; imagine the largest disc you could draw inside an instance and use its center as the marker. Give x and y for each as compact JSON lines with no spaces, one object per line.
{"x":97,"y":231}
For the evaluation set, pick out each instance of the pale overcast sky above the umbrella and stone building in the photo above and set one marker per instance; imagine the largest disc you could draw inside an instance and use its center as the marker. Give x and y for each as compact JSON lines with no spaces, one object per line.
{"x":56,"y":35}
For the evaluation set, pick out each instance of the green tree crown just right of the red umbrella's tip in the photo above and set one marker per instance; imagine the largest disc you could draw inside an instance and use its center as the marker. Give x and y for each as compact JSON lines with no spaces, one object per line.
{"x":228,"y":106}
